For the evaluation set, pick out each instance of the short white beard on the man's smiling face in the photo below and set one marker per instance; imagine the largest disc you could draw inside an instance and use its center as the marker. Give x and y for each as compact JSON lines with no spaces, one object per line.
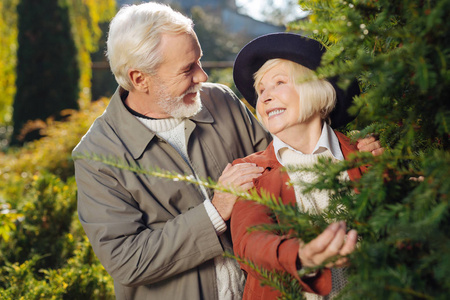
{"x":176,"y":106}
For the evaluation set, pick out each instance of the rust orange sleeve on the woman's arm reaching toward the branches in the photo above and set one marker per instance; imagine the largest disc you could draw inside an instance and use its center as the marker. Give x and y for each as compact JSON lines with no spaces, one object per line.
{"x":269,"y":250}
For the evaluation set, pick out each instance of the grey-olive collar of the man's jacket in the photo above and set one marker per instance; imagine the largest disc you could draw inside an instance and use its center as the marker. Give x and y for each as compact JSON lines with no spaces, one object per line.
{"x":131,"y":131}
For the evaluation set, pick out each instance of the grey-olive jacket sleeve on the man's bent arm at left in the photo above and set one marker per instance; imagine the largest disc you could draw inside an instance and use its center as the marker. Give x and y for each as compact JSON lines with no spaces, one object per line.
{"x":132,"y":252}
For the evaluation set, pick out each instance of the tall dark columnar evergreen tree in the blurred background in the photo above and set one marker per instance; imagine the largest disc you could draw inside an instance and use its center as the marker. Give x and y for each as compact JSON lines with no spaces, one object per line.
{"x":47,"y":67}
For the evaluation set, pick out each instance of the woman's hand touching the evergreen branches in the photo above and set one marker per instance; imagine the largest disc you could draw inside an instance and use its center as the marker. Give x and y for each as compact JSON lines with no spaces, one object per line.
{"x":331,"y":242}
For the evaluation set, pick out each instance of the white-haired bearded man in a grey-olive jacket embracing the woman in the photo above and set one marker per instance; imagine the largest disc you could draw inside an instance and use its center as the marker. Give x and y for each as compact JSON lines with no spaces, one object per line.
{"x":162,"y":239}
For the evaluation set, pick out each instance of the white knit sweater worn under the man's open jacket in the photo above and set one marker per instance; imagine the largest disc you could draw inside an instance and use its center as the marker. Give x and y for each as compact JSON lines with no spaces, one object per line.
{"x":230,"y":279}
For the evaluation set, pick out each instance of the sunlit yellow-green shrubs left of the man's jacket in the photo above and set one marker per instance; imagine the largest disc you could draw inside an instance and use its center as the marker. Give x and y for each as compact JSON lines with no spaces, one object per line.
{"x":44,"y":252}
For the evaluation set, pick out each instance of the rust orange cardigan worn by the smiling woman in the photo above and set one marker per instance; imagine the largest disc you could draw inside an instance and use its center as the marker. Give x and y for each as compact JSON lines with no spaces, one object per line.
{"x":265,"y":249}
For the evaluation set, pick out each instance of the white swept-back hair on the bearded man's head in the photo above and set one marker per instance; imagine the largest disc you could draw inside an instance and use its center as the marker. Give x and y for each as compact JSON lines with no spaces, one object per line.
{"x":135,"y":35}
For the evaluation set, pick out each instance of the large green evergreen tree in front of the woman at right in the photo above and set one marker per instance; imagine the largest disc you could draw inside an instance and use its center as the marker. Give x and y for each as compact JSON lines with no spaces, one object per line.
{"x":400,"y":52}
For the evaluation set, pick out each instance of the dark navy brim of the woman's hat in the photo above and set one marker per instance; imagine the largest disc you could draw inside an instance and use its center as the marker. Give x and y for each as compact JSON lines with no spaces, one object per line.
{"x":296,"y":48}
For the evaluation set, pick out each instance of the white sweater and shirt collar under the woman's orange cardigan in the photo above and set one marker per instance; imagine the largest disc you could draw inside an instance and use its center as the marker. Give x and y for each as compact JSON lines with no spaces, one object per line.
{"x":316,"y":201}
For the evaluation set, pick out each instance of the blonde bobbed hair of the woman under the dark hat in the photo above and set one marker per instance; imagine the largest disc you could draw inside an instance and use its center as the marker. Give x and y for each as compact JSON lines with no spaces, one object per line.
{"x":315,"y":95}
